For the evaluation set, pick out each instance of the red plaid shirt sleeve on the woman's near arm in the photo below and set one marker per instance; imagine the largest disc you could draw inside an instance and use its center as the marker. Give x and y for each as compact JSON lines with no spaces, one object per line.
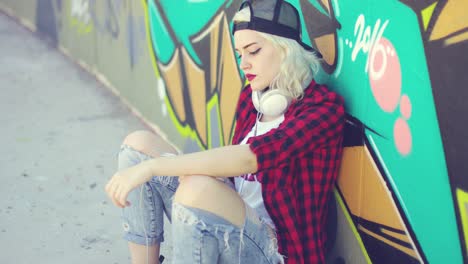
{"x":316,"y":123}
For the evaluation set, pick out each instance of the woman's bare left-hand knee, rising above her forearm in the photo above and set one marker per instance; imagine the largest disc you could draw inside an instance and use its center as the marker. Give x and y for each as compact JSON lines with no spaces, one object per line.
{"x":148,"y":143}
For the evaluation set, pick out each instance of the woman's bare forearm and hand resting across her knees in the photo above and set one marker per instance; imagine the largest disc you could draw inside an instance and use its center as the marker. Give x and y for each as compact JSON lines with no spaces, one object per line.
{"x":219,"y":162}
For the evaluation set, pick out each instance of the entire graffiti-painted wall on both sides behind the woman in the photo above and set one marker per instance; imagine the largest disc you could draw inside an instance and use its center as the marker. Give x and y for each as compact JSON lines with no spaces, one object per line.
{"x":402,"y":194}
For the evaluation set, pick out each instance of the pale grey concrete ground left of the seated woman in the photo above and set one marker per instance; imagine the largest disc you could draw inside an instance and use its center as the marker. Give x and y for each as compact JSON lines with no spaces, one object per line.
{"x":60,"y":132}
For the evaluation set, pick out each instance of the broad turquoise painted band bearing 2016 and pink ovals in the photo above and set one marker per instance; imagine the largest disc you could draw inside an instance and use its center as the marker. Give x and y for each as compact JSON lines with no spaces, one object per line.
{"x":416,"y":168}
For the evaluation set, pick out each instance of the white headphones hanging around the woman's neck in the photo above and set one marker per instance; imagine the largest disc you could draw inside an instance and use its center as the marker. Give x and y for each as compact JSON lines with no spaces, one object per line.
{"x":271,"y":103}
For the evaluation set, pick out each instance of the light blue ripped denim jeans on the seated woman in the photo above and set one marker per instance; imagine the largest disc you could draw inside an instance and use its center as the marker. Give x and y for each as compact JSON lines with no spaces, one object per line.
{"x":198,"y":235}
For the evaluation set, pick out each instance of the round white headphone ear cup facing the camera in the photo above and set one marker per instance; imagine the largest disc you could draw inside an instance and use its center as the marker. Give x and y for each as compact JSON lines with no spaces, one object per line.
{"x":274,"y":103}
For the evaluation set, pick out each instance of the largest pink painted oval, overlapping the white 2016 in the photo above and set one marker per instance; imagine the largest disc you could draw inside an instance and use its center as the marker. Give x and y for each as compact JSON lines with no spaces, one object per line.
{"x":385,"y":75}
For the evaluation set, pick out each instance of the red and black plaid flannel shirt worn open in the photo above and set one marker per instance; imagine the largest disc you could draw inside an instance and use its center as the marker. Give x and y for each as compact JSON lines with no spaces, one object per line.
{"x":297,"y":167}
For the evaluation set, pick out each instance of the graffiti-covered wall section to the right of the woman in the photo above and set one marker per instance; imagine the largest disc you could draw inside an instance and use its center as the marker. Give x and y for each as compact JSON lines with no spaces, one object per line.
{"x":402,"y":187}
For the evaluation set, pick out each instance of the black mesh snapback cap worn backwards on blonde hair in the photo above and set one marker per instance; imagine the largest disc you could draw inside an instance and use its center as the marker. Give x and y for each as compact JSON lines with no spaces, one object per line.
{"x":278,"y":18}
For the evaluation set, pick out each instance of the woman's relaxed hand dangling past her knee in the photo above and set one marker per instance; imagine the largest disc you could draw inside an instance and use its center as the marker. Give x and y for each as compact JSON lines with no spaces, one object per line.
{"x":126,"y":180}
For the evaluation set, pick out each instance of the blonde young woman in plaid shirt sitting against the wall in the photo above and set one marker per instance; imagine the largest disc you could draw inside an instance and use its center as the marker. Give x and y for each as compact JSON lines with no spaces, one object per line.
{"x":262,"y":199}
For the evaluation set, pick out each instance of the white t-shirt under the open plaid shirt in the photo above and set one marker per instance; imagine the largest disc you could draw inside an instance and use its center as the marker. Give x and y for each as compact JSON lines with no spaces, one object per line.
{"x":247,"y":185}
